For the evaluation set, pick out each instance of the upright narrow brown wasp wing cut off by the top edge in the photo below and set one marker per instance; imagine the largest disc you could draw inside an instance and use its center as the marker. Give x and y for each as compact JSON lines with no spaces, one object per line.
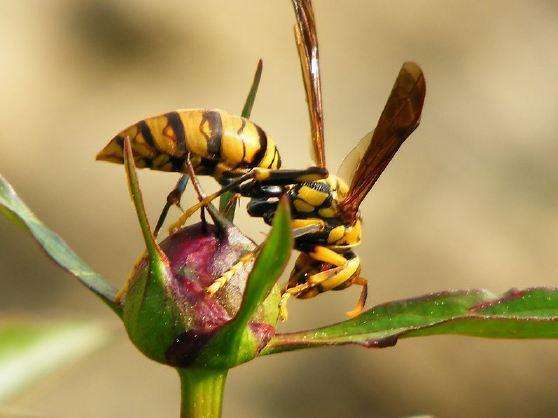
{"x":307,"y":45}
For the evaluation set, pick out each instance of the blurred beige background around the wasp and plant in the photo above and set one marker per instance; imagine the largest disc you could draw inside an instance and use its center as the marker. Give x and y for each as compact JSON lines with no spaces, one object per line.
{"x":470,"y":201}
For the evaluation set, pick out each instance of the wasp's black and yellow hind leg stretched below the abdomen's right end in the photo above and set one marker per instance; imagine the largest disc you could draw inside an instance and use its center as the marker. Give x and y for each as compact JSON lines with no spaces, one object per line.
{"x":256,"y":176}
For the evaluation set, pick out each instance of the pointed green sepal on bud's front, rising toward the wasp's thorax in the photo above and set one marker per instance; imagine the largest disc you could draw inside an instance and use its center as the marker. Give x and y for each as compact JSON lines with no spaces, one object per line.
{"x":233,"y":343}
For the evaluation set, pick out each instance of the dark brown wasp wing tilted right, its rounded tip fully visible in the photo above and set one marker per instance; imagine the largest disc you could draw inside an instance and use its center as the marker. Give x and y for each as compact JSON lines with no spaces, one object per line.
{"x":399,"y":119}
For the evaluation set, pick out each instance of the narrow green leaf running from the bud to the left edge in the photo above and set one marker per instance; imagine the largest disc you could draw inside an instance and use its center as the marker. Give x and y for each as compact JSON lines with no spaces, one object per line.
{"x":13,"y":208}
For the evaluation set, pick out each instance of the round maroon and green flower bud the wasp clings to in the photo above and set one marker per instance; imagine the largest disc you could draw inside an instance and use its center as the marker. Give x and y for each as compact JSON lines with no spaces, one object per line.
{"x":171,"y":311}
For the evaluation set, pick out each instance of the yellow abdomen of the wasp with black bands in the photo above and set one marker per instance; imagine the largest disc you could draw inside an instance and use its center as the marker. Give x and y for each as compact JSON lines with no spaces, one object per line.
{"x":219,"y":143}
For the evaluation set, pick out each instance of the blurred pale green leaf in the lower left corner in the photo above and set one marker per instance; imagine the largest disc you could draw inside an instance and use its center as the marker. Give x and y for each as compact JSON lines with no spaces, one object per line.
{"x":30,"y":350}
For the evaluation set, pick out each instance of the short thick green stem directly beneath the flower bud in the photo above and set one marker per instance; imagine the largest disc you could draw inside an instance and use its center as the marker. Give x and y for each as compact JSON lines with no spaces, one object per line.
{"x":202,"y":392}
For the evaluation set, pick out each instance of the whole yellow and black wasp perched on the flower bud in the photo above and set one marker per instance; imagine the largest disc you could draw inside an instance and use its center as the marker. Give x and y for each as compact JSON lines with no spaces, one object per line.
{"x":233,"y":150}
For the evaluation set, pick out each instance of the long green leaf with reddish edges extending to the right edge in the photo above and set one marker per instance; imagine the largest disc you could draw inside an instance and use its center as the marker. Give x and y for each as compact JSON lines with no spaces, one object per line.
{"x":530,"y":313}
